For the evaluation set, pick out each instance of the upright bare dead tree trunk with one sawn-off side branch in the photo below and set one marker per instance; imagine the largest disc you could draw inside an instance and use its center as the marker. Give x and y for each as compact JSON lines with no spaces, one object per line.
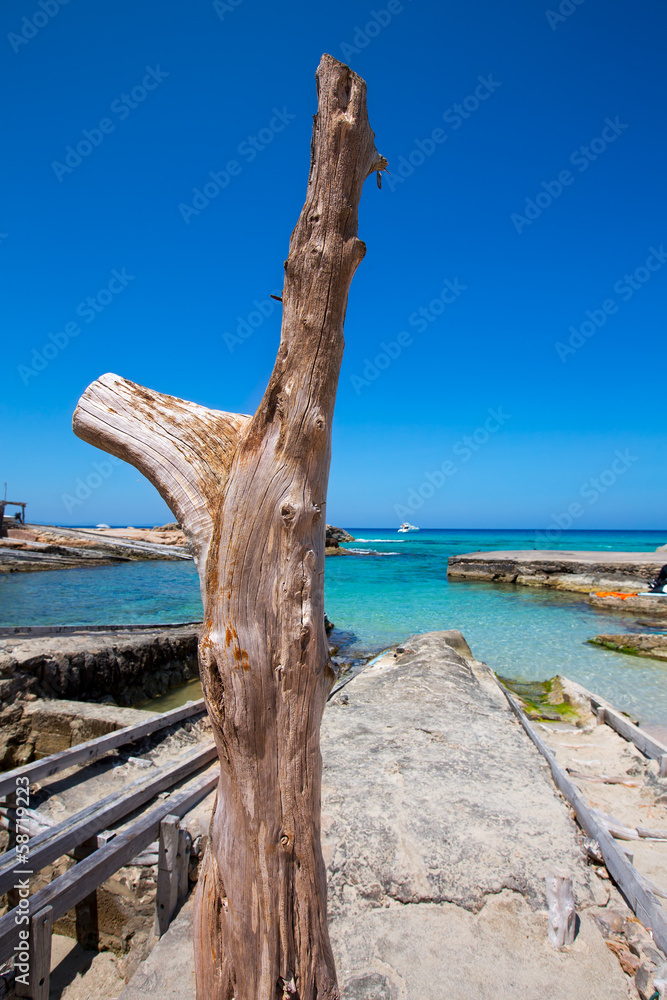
{"x":250,"y":493}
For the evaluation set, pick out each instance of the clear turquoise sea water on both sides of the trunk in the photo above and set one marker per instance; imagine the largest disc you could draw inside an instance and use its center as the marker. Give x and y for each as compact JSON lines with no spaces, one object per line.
{"x":394,"y":586}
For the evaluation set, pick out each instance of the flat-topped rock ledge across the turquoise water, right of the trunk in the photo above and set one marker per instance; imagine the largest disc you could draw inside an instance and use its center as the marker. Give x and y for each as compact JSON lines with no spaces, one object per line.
{"x":576,"y":571}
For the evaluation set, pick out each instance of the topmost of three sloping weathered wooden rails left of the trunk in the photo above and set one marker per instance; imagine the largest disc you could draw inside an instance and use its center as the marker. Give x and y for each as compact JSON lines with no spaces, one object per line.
{"x":88,"y":751}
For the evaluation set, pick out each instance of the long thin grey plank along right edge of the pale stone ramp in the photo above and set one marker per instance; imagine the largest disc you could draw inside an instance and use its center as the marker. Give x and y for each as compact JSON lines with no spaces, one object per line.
{"x":642,"y":902}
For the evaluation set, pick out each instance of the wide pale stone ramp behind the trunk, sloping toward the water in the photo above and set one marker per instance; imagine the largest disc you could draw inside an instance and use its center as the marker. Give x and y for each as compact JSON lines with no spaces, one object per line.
{"x":440,"y":823}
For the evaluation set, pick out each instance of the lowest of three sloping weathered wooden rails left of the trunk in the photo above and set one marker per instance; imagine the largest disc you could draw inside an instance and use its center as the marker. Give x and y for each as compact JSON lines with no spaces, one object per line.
{"x":69,"y":888}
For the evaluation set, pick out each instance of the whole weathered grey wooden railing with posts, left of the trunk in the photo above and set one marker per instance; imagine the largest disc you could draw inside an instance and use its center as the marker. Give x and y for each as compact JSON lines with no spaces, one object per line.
{"x":25,"y":930}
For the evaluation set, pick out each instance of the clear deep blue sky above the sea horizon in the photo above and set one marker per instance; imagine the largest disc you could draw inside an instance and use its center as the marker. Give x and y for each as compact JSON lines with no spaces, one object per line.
{"x":169,"y":93}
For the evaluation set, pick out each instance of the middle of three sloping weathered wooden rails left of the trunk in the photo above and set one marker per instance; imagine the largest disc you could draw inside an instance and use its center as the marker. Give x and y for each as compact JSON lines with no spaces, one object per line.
{"x":53,"y":843}
